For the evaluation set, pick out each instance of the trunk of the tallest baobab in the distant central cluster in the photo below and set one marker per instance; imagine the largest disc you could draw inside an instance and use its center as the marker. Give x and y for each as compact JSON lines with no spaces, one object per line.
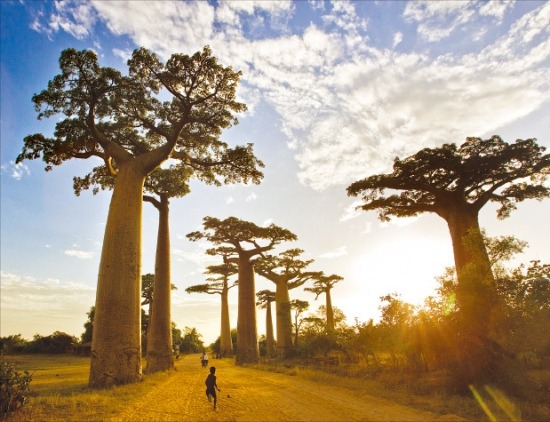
{"x":247,"y":331}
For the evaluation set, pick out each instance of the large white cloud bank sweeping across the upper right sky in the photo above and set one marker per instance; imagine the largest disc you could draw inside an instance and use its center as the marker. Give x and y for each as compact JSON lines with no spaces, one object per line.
{"x":346,"y":108}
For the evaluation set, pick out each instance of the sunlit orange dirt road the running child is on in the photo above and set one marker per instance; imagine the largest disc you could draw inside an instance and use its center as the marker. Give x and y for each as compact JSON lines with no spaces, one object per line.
{"x":253,"y":395}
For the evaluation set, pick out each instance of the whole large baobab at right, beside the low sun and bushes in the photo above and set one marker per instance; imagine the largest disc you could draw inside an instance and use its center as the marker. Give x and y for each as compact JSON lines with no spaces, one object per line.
{"x":455,"y":183}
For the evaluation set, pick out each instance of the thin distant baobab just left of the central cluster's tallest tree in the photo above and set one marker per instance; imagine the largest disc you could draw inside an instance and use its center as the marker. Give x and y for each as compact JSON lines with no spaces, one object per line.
{"x":219,"y":283}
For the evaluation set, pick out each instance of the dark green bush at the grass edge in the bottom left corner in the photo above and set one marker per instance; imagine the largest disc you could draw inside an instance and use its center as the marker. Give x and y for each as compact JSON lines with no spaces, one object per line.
{"x":14,"y":388}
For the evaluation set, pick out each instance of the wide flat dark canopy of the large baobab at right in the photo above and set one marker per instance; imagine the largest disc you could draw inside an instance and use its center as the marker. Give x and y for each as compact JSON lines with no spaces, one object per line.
{"x":477,"y":172}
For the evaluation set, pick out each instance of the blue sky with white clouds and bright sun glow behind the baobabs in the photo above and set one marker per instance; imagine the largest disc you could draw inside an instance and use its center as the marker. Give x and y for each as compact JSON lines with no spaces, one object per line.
{"x":335,"y":91}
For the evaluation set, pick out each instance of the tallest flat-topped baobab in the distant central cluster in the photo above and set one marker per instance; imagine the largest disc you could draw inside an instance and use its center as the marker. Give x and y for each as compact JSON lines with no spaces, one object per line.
{"x":239,"y":235}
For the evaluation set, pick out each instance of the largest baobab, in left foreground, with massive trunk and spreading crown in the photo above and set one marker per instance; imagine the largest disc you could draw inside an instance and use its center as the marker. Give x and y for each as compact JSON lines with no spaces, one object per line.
{"x":133,"y":124}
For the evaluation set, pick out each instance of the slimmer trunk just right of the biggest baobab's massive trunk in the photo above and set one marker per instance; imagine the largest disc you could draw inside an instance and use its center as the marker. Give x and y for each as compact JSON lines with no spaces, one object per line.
{"x":159,"y":339}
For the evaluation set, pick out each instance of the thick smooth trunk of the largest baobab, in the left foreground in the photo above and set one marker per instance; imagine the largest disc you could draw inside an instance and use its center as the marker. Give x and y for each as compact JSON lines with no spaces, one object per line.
{"x":116,"y":342}
